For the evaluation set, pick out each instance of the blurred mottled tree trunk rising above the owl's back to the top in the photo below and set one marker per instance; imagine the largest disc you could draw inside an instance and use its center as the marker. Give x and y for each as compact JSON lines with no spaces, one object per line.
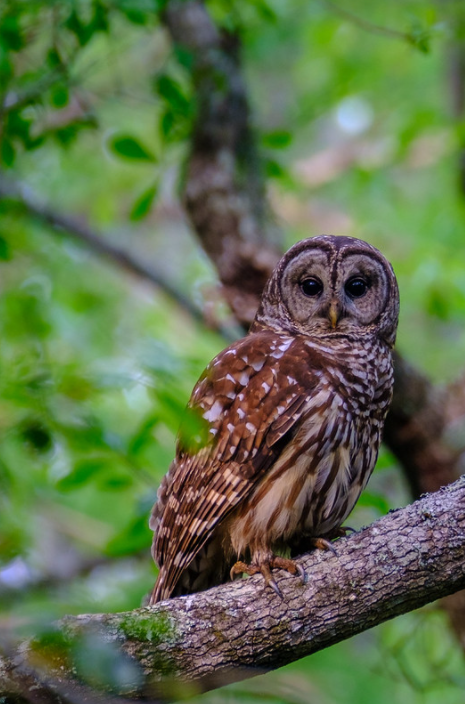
{"x":224,"y":191}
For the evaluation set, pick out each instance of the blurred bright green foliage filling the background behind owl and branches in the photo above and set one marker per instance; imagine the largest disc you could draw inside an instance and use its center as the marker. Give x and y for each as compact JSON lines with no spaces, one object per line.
{"x":352,"y":106}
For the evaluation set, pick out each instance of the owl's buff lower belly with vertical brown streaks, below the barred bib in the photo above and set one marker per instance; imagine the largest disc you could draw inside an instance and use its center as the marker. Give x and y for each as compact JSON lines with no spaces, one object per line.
{"x":317,"y":479}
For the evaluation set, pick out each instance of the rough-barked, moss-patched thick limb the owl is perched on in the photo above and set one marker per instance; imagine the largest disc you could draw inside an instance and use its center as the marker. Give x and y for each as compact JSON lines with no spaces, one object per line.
{"x":403,"y":561}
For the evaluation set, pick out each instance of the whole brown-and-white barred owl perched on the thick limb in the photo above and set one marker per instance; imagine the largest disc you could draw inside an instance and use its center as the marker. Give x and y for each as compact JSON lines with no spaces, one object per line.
{"x":293,"y":417}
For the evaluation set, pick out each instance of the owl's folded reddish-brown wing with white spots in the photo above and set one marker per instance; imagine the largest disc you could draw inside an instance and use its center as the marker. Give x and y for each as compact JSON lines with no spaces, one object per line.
{"x":252,"y":401}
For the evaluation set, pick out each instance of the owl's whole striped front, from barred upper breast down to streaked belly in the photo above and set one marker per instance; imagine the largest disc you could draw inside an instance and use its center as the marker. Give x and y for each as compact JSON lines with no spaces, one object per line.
{"x":326,"y":463}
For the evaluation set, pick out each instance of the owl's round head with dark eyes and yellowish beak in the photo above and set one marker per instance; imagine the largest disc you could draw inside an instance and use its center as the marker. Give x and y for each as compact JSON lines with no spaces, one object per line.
{"x":331,"y":286}
